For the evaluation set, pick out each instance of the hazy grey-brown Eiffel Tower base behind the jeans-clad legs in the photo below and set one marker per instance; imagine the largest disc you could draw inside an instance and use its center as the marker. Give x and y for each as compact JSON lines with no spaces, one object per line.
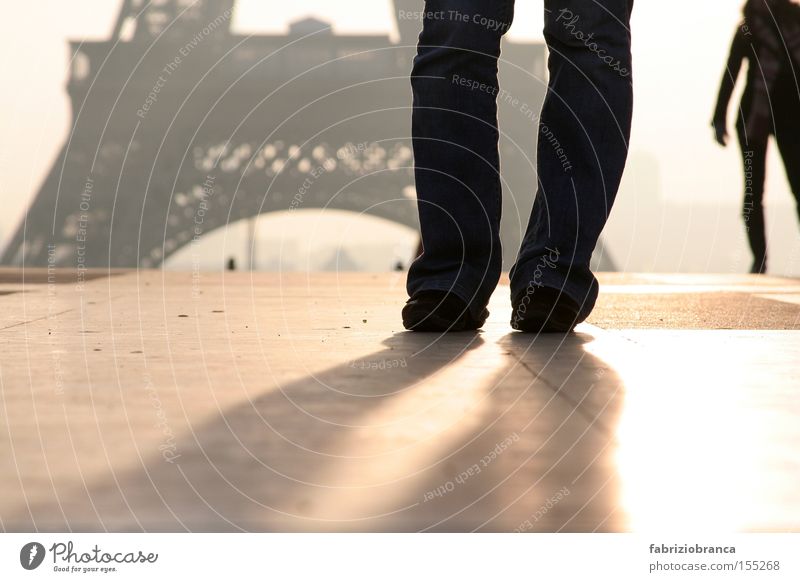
{"x":180,"y":126}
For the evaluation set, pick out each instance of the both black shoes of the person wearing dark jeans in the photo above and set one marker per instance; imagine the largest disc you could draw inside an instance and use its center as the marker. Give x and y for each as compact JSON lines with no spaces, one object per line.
{"x":545,"y":310}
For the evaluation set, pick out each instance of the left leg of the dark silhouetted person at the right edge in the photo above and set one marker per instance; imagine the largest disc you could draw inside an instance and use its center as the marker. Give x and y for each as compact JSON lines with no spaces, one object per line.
{"x":754,"y":158}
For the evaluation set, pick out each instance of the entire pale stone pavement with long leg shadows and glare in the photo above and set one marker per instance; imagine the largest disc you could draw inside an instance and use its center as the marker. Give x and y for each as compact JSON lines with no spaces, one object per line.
{"x":170,"y":401}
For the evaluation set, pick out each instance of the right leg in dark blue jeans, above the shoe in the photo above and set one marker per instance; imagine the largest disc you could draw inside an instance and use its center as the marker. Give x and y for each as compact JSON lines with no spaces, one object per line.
{"x":583,"y":146}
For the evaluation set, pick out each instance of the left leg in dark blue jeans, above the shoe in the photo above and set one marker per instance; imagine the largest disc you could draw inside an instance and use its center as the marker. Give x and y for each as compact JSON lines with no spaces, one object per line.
{"x":455,"y":137}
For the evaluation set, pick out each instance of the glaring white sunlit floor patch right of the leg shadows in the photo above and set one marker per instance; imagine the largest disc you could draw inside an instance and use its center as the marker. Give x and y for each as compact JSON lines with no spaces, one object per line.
{"x":708,"y":437}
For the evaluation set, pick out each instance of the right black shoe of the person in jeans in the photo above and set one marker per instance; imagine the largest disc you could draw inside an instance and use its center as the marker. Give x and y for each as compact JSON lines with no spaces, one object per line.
{"x":547,"y":310}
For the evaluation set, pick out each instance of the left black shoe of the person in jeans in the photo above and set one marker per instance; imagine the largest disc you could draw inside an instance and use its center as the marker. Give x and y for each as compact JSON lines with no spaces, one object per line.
{"x":439,"y":311}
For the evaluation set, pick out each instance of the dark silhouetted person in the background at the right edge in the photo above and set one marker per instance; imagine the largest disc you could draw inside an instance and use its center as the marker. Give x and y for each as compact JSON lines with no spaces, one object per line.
{"x":769,"y":38}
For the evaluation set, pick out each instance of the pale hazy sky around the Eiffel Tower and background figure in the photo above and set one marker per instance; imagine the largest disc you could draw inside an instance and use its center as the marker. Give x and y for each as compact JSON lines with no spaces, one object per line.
{"x":679,"y":50}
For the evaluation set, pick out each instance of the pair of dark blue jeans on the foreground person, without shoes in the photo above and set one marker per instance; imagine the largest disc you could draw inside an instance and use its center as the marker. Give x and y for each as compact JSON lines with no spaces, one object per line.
{"x":582,"y":148}
